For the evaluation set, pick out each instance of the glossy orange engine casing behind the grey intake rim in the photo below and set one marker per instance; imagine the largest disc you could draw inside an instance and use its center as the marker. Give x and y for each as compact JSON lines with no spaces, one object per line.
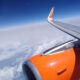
{"x":58,"y":66}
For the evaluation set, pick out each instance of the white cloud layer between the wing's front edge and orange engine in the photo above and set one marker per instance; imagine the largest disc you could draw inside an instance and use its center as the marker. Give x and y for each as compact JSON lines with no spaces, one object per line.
{"x":17,"y":45}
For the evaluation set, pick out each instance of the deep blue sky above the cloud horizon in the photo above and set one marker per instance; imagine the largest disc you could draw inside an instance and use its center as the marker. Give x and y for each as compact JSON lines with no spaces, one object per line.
{"x":24,"y":12}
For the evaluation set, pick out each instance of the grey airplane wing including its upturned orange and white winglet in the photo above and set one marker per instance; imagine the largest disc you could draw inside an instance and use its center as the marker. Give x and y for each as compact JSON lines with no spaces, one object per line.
{"x":69,"y":29}
